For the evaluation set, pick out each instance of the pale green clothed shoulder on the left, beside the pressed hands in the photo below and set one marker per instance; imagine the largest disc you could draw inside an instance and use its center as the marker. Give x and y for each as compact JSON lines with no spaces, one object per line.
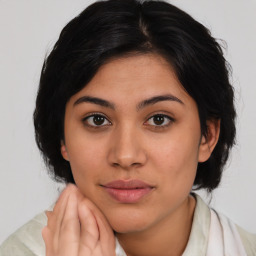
{"x":27,"y":240}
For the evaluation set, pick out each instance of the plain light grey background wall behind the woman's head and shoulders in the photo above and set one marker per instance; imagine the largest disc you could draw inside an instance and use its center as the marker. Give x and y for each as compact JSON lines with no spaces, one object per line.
{"x":29,"y":28}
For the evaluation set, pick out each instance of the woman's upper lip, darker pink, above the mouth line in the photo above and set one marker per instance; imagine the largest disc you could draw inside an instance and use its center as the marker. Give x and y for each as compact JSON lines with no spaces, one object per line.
{"x":127,"y":184}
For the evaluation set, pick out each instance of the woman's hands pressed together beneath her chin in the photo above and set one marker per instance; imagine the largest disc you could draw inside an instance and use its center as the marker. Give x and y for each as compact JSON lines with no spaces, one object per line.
{"x":76,"y":227}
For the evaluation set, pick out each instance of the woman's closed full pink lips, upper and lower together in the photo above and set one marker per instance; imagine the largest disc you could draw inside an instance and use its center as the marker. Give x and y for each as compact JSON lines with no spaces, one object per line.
{"x":128,"y":191}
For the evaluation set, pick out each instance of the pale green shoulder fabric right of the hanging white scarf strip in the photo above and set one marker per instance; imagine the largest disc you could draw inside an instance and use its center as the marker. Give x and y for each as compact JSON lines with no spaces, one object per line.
{"x":249,"y":241}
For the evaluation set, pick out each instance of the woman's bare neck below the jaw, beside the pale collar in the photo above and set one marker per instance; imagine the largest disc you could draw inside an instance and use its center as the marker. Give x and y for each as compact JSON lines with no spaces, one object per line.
{"x":167,"y":237}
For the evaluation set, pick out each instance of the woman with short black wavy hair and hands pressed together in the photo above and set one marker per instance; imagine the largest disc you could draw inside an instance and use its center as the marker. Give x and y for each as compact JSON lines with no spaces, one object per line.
{"x":134,"y":109}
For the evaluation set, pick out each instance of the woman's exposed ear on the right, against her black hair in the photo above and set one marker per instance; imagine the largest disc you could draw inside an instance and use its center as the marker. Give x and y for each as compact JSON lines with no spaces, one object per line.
{"x":208,"y":143}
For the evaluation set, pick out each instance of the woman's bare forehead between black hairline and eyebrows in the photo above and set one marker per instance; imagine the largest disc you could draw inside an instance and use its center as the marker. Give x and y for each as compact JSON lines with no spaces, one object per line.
{"x":134,"y":77}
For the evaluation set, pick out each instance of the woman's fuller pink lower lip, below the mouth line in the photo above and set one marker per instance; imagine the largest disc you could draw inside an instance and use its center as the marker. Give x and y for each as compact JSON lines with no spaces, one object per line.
{"x":128,"y":195}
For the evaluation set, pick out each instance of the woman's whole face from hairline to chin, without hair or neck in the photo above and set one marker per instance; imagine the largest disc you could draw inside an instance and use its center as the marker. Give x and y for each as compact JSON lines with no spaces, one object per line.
{"x":133,"y":140}
